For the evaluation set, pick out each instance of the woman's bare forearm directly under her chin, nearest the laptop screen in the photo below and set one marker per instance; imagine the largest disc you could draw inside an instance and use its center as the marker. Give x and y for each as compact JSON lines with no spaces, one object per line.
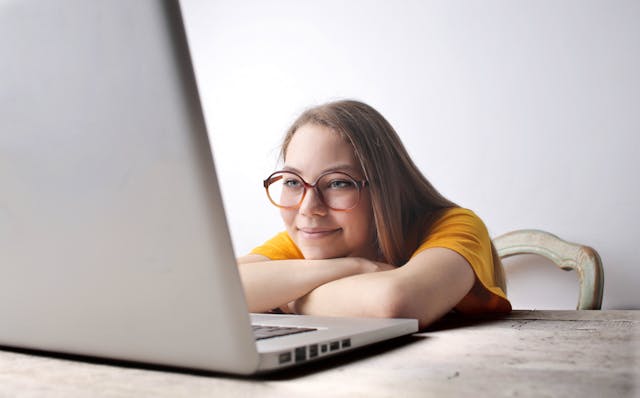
{"x":272,"y":284}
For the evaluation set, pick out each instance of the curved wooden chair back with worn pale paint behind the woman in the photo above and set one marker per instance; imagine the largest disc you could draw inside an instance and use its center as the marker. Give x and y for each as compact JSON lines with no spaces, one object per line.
{"x":566,"y":255}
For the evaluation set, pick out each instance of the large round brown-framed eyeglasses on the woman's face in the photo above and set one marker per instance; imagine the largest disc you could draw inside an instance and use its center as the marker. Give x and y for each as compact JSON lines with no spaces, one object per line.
{"x":337,"y":190}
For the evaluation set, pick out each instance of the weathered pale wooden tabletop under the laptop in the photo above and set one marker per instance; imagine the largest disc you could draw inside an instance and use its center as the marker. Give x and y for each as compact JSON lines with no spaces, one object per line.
{"x":528,"y":353}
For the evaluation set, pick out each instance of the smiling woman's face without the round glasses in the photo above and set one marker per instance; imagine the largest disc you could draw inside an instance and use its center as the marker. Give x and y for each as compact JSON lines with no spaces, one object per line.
{"x":319,"y":231}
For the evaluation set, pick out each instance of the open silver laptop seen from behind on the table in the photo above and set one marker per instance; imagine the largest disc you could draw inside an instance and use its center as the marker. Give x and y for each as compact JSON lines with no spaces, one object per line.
{"x":113,"y":236}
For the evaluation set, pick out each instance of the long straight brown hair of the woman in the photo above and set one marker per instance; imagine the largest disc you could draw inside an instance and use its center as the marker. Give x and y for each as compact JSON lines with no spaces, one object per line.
{"x":405,"y":204}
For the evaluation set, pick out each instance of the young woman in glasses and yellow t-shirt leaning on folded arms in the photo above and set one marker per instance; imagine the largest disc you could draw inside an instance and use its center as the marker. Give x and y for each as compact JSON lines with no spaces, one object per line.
{"x":366,"y":234}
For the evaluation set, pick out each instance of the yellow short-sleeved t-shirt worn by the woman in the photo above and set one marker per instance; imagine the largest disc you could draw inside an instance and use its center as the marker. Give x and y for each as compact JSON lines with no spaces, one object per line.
{"x":458,"y":229}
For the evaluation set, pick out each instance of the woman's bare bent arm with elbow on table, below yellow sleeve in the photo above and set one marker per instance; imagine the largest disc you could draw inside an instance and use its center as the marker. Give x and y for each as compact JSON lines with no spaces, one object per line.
{"x":425,"y":288}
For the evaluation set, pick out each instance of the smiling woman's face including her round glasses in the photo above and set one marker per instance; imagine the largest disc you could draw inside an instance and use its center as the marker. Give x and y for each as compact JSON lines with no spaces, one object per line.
{"x":328,"y":212}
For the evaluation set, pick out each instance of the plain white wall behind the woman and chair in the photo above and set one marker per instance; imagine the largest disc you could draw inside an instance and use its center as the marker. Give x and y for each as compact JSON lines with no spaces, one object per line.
{"x":525,"y":111}
